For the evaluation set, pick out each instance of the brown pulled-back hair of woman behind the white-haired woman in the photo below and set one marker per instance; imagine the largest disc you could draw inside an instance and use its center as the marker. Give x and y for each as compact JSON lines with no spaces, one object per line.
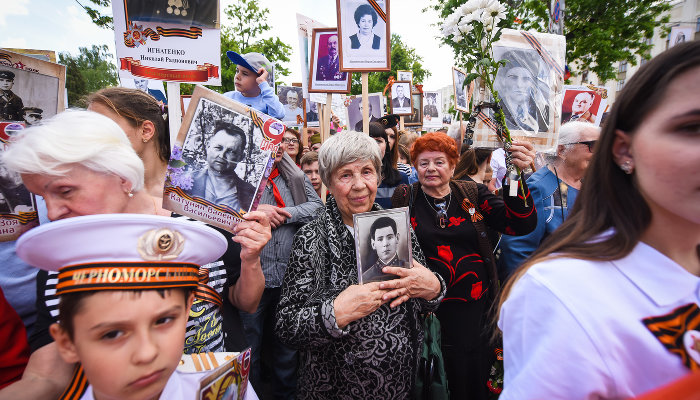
{"x":137,"y":106}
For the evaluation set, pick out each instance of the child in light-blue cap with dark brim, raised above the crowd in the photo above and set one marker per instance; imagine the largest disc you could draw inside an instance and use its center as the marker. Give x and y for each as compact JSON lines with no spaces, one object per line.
{"x":252,"y":84}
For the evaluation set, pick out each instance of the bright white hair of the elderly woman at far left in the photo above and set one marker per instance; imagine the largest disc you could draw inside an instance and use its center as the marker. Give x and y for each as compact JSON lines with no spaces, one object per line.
{"x":75,"y":137}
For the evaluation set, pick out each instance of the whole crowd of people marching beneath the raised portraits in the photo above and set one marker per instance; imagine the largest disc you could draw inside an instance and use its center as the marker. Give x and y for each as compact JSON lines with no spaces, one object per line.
{"x":585,"y":283}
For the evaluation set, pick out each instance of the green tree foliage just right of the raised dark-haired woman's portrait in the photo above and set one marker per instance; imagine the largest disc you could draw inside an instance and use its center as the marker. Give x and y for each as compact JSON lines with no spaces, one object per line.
{"x":403,"y":57}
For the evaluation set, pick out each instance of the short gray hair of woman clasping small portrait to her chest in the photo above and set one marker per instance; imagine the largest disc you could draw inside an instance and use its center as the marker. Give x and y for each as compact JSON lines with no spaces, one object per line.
{"x":345,"y":148}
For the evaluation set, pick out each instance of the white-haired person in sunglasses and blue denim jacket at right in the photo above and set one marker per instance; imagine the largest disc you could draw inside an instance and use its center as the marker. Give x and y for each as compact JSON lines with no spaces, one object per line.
{"x":554,"y":190}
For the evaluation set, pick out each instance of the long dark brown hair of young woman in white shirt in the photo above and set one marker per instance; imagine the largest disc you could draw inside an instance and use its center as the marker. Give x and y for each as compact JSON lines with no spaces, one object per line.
{"x":609,"y":198}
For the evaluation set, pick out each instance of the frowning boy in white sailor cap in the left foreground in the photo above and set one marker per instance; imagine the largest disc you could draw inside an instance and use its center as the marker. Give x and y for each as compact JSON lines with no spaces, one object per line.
{"x":124,"y":303}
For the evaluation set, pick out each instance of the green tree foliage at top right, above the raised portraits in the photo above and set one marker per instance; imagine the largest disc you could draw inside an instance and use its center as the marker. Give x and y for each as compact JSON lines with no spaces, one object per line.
{"x":598,"y":33}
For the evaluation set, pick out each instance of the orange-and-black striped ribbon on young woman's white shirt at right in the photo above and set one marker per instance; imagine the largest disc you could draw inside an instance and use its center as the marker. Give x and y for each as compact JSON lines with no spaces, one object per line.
{"x":670,"y":329}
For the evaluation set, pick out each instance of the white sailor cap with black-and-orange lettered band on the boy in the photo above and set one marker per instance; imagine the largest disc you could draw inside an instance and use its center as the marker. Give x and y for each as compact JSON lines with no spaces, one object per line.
{"x":121,"y":251}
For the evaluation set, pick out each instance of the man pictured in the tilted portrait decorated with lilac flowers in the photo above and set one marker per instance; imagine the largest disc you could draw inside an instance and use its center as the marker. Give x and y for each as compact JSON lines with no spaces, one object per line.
{"x":218,"y":182}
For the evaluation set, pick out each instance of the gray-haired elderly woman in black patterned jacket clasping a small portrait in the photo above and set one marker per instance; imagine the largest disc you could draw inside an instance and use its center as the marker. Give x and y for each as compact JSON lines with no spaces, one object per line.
{"x":355,"y":341}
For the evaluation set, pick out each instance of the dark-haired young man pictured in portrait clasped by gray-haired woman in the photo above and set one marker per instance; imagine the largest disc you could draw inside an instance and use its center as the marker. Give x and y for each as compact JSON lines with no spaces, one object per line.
{"x":384,"y":239}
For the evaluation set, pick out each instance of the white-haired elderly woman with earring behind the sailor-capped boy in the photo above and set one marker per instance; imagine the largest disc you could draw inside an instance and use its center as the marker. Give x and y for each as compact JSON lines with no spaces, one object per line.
{"x":82,"y":163}
